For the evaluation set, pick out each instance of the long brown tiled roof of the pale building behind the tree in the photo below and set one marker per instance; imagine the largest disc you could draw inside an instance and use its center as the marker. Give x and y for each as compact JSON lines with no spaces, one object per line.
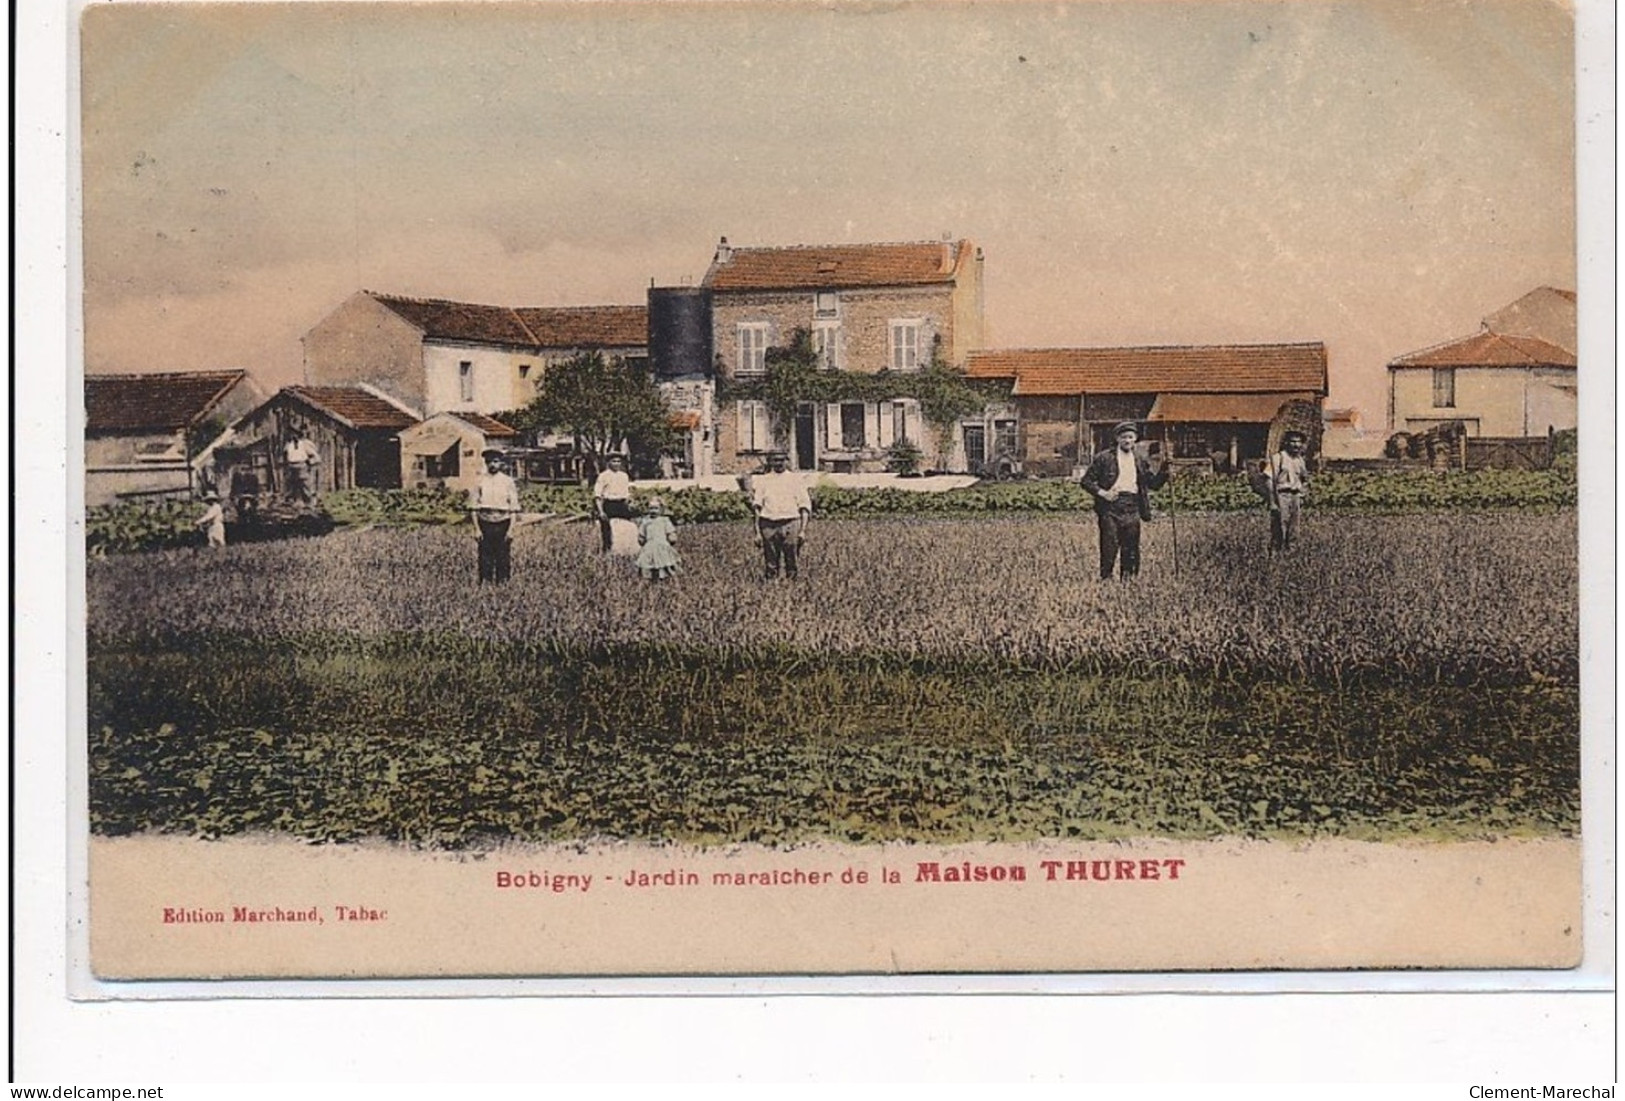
{"x":526,"y":326}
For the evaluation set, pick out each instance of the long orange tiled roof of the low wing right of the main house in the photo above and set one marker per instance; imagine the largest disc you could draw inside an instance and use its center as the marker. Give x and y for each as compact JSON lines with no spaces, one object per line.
{"x":1181,"y":369}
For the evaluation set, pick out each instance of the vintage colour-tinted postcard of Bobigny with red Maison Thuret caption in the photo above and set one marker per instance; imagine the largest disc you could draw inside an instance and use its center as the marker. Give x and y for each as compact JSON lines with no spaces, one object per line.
{"x":688,"y":490}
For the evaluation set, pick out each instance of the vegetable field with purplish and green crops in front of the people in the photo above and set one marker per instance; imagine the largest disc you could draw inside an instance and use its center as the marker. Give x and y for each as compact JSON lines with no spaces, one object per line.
{"x":925,"y":680}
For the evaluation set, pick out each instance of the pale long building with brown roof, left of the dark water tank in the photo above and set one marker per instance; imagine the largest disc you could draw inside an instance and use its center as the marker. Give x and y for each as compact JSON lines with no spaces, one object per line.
{"x":456,"y":356}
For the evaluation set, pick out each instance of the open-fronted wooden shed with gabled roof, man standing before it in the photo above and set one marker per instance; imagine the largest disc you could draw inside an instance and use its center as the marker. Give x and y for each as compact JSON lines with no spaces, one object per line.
{"x":357,"y":431}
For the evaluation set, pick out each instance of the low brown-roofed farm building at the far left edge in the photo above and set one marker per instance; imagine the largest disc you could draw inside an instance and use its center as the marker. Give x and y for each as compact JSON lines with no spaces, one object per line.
{"x":142,"y":431}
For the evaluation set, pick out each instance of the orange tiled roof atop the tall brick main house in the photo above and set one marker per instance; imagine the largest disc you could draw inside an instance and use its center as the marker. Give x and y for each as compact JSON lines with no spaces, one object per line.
{"x":834,"y":267}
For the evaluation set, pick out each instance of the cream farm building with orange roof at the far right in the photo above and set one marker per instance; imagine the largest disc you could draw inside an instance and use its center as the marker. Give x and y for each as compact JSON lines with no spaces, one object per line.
{"x":1514,"y":379}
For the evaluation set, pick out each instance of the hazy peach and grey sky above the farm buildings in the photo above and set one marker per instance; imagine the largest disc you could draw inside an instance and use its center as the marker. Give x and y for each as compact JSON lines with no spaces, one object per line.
{"x":1374,"y":175}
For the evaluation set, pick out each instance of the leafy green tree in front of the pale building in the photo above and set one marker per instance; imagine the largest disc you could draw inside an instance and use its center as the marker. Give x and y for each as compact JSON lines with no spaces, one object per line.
{"x":605,"y":405}
